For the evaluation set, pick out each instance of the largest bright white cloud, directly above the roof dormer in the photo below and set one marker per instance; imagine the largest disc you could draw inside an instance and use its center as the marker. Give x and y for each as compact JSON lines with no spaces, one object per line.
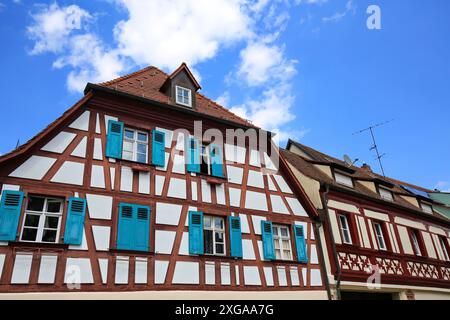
{"x":179,"y":30}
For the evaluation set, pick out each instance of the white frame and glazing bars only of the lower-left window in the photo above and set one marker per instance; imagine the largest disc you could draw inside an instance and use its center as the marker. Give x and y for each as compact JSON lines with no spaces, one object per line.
{"x":42,"y":217}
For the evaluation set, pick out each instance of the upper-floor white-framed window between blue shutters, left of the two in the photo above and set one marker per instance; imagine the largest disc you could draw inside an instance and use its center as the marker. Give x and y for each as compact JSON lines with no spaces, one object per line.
{"x":135,"y":145}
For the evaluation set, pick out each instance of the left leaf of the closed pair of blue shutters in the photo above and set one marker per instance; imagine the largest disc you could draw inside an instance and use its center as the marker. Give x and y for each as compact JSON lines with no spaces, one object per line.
{"x":125,"y":227}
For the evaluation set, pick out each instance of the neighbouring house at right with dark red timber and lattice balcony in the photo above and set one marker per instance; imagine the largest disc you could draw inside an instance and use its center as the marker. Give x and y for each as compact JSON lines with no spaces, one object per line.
{"x":375,"y":225}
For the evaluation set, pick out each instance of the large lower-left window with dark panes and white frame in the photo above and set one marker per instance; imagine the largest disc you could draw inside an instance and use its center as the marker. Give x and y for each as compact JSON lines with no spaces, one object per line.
{"x":42,"y":219}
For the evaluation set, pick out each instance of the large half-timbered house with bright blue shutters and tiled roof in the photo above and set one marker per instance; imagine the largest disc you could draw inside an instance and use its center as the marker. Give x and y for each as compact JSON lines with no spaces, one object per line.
{"x":110,"y":197}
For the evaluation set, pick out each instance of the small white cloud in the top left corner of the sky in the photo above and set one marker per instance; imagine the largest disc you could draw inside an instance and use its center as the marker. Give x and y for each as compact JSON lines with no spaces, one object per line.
{"x":53,"y":25}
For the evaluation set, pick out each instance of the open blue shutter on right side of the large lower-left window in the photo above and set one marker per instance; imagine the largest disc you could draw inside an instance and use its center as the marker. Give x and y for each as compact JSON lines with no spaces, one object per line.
{"x":75,"y":221}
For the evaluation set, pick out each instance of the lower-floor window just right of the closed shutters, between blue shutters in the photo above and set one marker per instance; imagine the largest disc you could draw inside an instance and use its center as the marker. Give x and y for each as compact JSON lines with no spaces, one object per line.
{"x":214,"y":235}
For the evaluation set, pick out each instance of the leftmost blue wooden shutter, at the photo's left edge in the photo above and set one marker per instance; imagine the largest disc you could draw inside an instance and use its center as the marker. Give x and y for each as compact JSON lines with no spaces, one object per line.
{"x":10,"y":208}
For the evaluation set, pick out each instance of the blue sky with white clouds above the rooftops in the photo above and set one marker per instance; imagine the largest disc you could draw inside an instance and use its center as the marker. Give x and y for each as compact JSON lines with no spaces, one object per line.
{"x":308,"y":69}
